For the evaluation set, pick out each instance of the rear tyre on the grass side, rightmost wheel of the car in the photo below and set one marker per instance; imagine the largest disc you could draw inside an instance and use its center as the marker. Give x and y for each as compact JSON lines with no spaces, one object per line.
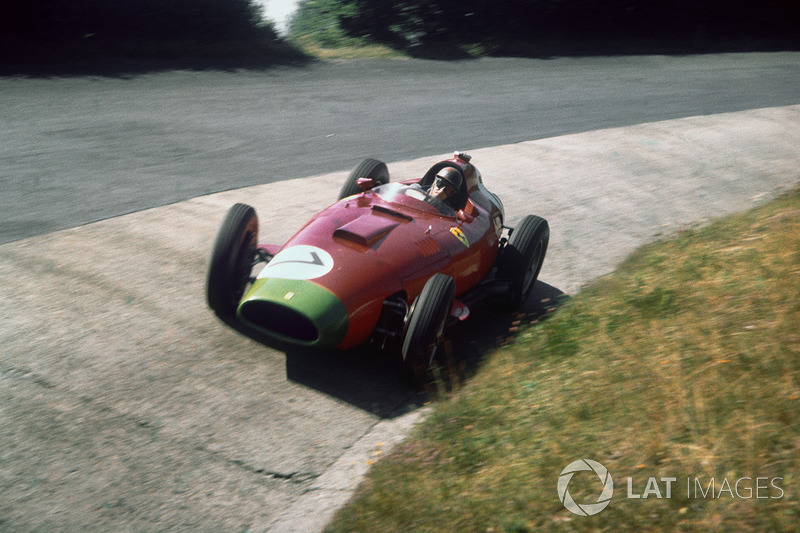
{"x":522,"y":258}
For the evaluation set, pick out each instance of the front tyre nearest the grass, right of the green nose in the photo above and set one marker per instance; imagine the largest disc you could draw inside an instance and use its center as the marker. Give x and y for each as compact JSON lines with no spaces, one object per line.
{"x":422,"y":345}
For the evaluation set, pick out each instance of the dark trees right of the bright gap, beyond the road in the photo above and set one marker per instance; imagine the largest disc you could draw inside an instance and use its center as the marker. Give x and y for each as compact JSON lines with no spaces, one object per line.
{"x":514,"y":24}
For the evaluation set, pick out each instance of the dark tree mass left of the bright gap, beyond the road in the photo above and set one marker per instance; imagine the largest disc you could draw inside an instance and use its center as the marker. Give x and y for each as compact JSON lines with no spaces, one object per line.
{"x":53,"y":31}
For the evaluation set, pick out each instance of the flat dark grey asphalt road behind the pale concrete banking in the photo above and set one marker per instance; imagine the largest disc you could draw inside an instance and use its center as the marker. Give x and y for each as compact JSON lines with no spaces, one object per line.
{"x":80,"y":149}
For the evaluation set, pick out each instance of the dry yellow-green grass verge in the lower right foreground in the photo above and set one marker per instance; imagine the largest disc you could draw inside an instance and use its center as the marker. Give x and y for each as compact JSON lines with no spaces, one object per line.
{"x":684,"y":364}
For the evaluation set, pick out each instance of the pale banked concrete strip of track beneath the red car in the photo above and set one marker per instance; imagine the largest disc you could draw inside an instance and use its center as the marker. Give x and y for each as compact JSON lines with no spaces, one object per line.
{"x":126,"y":405}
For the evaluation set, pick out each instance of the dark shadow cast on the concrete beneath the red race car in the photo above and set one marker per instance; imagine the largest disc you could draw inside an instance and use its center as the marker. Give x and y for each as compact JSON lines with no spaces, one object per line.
{"x":372,"y":379}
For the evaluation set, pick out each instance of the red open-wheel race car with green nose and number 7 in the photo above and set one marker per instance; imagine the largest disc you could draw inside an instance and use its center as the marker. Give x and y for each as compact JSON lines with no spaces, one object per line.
{"x":388,"y":261}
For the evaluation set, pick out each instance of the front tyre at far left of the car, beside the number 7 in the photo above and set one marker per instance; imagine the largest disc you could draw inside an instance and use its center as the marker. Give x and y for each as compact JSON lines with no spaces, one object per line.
{"x":232,"y":259}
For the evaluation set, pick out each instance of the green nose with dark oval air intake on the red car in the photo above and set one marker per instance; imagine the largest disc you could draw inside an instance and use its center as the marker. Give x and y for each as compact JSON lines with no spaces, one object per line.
{"x":298,"y":312}
